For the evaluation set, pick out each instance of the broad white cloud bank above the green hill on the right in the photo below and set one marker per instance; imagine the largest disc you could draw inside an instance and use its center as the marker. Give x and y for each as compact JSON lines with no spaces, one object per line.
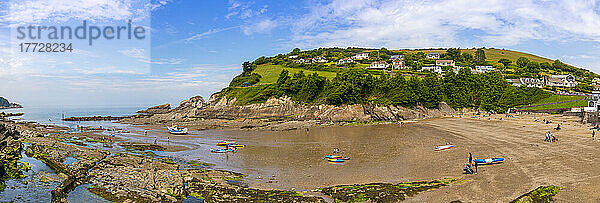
{"x":416,"y":24}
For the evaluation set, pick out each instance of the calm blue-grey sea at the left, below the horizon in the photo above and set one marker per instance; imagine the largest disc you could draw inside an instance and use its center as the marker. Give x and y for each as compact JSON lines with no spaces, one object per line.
{"x":54,"y":114}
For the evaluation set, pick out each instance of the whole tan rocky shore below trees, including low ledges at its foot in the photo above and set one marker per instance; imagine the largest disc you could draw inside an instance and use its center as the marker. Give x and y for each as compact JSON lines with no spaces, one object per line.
{"x":276,"y":114}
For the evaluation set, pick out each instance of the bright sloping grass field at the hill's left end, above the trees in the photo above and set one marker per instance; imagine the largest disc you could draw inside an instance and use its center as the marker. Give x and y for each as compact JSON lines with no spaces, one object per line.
{"x":270,"y":73}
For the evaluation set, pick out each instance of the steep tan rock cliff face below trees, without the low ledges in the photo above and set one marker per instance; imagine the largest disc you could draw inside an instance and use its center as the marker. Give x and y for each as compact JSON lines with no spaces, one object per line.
{"x":278,"y":109}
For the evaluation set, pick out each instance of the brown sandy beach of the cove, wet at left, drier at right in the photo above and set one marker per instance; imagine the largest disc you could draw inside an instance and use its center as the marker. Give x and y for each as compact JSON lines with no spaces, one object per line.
{"x":393,"y":153}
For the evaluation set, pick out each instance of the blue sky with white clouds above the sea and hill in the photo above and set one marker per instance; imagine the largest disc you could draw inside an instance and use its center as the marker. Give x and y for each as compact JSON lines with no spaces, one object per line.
{"x":195,"y":47}
